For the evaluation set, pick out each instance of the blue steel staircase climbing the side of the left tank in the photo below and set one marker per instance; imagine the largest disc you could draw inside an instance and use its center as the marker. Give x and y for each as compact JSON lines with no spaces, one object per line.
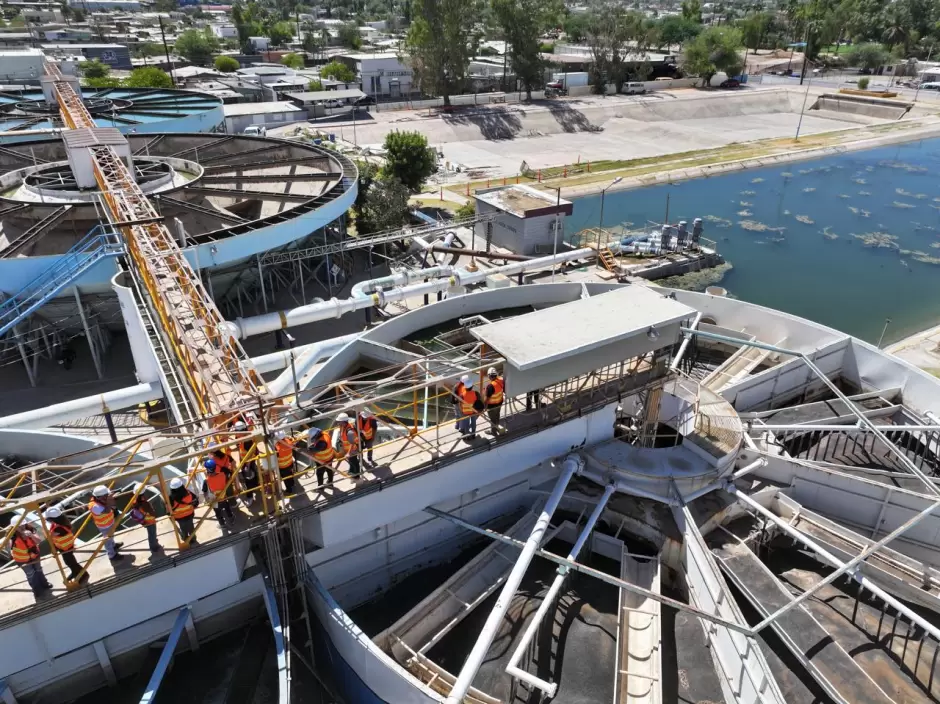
{"x":90,"y":250}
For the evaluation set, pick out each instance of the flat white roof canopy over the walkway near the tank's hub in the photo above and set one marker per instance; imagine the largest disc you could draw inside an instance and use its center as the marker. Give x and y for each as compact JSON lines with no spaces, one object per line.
{"x":567,"y":340}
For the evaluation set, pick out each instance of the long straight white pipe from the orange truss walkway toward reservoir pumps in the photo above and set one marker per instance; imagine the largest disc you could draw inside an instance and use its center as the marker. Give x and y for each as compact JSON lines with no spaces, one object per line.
{"x":336,"y":308}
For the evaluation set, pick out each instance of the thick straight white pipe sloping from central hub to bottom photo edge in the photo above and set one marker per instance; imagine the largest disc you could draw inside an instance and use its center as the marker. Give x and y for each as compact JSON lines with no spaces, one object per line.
{"x":572,"y":465}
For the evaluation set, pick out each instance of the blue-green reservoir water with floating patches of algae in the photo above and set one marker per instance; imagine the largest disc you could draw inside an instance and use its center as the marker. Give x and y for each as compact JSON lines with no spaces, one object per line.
{"x":803,"y":237}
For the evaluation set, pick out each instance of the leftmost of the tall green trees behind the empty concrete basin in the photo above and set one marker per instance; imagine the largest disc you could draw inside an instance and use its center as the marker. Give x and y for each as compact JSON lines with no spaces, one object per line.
{"x":443,"y":37}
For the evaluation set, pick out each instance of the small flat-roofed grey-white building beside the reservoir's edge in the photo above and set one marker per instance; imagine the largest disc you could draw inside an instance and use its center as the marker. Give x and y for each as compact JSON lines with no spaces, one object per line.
{"x":527,"y":220}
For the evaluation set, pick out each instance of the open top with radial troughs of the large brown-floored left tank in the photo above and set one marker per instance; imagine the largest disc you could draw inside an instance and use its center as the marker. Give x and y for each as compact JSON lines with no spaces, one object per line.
{"x":216,"y":185}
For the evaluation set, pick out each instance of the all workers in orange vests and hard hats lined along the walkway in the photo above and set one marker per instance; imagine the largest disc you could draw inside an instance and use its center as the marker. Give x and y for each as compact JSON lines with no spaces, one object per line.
{"x":349,"y":440}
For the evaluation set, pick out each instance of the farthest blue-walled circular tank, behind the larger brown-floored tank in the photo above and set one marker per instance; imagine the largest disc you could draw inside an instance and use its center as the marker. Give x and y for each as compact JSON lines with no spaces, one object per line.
{"x":25,"y":115}
